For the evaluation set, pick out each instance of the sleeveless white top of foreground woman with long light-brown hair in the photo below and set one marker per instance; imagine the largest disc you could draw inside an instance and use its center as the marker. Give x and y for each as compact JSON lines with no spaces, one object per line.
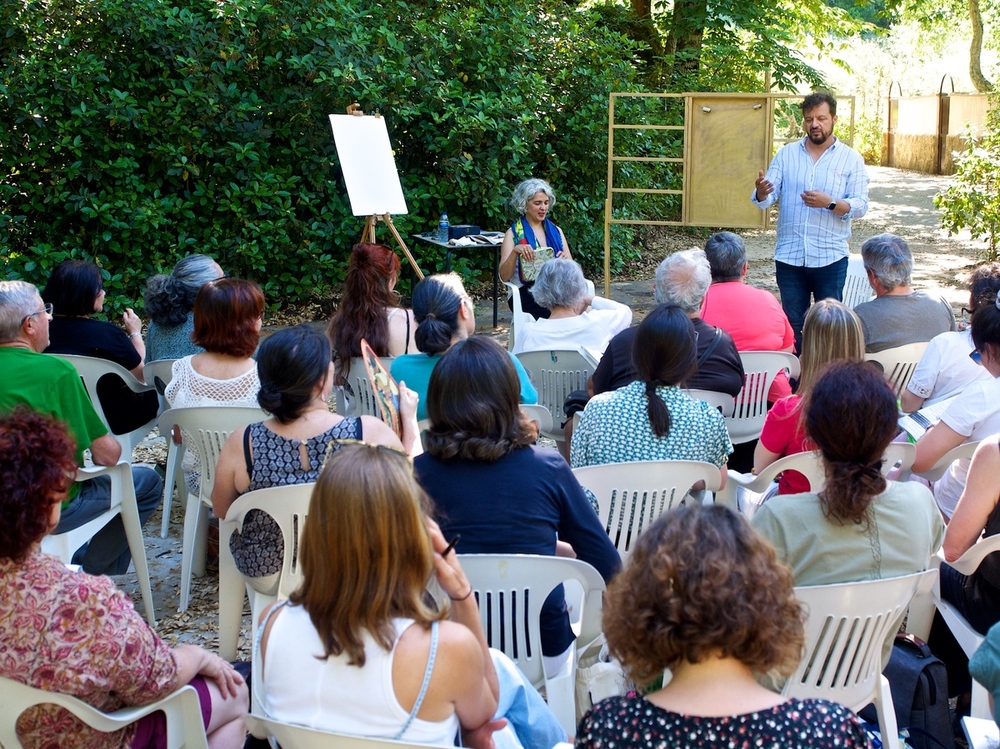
{"x":330,"y":695}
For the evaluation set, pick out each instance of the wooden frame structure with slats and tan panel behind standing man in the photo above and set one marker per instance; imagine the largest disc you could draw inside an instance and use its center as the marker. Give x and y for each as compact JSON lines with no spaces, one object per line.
{"x":724,"y":139}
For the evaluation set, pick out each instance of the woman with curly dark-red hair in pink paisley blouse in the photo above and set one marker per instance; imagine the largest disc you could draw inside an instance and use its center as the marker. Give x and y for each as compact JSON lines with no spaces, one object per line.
{"x":74,"y":633}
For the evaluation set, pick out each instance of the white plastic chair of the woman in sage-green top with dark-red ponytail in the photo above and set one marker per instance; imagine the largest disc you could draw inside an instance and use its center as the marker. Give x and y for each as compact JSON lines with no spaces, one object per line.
{"x":847,"y":626}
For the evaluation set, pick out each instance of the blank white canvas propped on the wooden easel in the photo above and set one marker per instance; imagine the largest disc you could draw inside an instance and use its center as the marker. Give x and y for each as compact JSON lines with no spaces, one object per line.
{"x":369,"y":168}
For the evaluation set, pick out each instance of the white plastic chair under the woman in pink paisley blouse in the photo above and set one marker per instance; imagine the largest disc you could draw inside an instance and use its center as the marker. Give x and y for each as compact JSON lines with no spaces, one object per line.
{"x":183,"y":713}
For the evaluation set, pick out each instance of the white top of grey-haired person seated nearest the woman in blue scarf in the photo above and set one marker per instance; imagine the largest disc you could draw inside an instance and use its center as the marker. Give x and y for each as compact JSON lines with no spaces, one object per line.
{"x":591,"y":331}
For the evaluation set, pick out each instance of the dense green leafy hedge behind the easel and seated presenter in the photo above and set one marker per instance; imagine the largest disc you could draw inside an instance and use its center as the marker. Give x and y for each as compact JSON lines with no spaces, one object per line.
{"x":137,"y":131}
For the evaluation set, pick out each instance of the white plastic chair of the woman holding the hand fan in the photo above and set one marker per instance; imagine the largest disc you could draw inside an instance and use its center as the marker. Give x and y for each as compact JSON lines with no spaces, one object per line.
{"x":289,"y":507}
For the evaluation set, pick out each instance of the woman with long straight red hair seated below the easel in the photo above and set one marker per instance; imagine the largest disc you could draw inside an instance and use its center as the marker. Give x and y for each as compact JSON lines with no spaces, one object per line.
{"x":370,"y":309}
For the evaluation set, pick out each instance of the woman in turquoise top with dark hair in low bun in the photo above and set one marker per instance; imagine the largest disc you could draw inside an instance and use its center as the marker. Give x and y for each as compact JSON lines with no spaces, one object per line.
{"x":445,"y":315}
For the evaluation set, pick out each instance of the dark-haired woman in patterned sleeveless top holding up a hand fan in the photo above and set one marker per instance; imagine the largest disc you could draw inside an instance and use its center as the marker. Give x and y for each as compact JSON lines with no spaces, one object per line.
{"x":296,"y":377}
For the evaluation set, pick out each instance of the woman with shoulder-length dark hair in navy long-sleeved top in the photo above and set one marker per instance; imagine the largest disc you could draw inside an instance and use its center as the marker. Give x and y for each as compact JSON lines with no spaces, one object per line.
{"x":490,"y":484}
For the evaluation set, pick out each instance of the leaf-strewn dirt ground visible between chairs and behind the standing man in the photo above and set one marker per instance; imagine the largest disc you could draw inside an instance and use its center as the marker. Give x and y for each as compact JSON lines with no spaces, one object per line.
{"x":900,"y":202}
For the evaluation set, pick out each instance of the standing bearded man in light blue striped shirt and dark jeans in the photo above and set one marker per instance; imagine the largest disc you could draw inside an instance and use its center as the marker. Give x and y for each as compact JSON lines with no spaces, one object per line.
{"x":824,"y":184}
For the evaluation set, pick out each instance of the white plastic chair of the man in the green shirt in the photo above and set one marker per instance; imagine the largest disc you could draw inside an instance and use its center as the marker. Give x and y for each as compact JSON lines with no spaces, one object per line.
{"x":123,"y":502}
